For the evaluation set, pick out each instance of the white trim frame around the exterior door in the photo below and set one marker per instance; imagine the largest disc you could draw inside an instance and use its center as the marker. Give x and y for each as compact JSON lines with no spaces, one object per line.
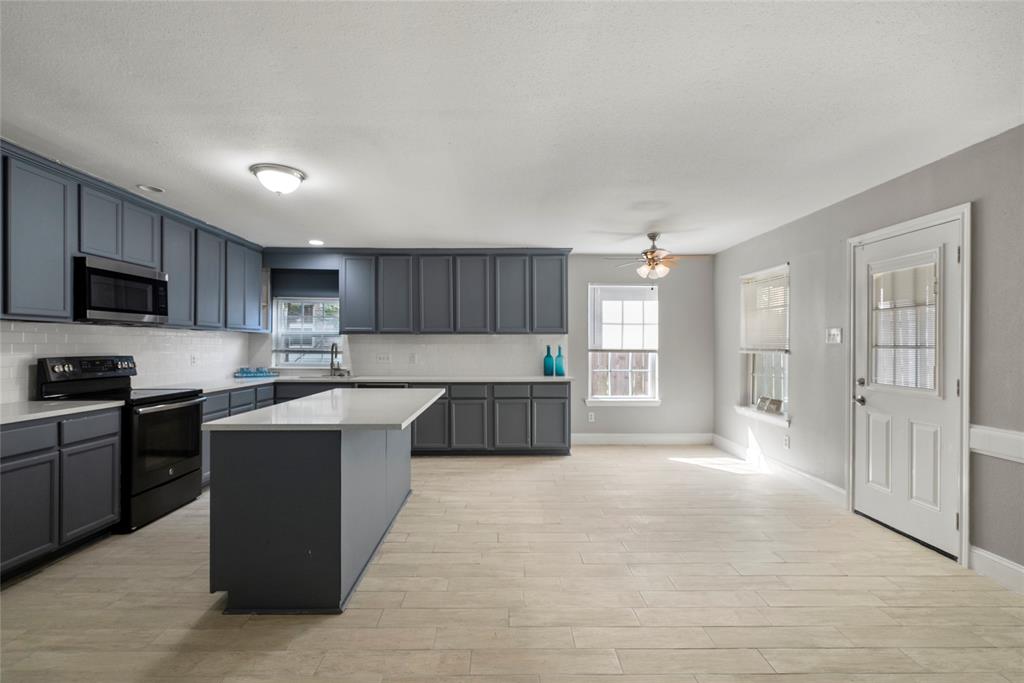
{"x":962,"y":212}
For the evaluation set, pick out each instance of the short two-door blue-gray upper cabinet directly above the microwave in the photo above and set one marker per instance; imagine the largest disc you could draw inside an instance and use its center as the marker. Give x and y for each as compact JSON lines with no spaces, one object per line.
{"x":112,"y":228}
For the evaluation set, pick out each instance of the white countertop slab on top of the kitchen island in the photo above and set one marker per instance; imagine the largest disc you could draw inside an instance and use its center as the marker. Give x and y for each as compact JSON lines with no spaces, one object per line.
{"x":335,"y":410}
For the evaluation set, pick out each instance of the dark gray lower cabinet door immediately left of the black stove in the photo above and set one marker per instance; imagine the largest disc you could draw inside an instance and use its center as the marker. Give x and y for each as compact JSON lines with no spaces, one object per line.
{"x":91,"y":488}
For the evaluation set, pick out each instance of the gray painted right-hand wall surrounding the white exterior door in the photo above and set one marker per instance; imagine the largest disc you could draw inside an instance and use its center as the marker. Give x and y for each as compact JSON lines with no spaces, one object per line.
{"x":991,"y":176}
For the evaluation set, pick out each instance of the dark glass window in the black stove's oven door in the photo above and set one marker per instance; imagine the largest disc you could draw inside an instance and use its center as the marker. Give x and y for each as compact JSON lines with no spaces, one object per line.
{"x":166,"y":438}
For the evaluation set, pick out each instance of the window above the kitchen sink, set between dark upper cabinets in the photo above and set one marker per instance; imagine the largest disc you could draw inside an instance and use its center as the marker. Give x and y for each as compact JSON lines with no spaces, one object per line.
{"x":305,"y":329}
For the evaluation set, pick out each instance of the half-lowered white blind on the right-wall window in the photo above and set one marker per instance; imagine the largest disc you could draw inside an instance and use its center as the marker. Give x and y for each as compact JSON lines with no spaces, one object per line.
{"x":764,"y":324}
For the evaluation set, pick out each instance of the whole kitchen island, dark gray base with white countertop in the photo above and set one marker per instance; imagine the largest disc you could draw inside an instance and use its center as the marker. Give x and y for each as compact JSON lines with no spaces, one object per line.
{"x":306,"y":493}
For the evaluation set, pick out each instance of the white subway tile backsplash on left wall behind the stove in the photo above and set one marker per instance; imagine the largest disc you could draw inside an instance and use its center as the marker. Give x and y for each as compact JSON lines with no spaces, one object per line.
{"x":163,"y":356}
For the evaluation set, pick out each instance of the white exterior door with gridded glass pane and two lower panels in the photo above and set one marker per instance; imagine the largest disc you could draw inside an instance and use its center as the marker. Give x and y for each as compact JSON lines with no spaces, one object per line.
{"x":908,"y":370}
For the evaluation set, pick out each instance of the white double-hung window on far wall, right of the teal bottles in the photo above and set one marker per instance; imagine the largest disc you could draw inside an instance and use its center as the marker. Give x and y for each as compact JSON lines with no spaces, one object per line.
{"x":623,"y":344}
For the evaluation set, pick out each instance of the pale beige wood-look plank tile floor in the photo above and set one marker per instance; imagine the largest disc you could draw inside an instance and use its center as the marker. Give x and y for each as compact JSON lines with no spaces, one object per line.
{"x":617,"y":565}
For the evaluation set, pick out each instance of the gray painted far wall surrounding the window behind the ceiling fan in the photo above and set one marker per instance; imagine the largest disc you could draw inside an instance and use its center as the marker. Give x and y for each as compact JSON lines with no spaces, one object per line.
{"x":686,"y":337}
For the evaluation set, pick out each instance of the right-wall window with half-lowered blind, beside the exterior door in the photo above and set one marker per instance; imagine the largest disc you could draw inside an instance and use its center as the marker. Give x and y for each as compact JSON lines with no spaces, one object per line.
{"x":764,"y":334}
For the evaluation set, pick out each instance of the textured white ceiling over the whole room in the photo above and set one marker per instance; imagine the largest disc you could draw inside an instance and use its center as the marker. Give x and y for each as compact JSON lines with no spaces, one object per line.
{"x":507,"y":124}
